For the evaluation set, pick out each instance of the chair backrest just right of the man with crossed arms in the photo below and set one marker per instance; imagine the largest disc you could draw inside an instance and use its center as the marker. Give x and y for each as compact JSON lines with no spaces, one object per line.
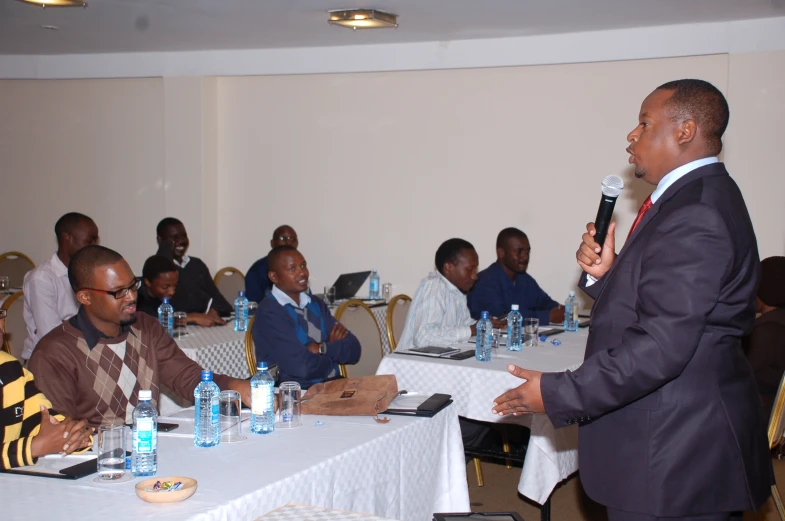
{"x":358,"y":318}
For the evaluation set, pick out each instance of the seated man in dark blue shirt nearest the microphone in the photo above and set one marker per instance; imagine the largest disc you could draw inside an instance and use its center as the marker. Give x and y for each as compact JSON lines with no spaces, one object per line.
{"x":505,"y":282}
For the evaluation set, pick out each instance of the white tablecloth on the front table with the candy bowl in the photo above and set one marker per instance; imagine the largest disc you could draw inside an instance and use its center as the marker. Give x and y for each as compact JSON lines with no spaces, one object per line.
{"x":405,"y":469}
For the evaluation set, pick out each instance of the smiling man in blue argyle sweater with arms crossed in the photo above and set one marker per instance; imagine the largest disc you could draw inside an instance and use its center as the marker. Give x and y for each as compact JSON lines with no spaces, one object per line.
{"x":295,"y":330}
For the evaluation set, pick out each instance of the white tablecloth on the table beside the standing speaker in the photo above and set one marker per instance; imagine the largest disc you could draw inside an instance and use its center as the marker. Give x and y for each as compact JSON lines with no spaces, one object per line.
{"x":552,"y":454}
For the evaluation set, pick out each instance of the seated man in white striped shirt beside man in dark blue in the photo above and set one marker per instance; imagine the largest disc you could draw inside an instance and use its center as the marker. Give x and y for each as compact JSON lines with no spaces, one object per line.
{"x":439,"y":314}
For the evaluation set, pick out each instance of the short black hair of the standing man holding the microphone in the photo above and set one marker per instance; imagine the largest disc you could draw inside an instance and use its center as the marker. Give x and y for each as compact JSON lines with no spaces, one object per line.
{"x":703,"y":103}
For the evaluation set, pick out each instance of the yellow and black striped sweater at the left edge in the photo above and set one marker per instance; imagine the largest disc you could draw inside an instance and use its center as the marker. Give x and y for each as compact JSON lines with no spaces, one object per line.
{"x":20,"y":415}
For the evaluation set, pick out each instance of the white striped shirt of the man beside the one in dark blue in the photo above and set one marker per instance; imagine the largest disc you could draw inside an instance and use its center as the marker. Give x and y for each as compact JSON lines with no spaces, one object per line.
{"x":438,"y":316}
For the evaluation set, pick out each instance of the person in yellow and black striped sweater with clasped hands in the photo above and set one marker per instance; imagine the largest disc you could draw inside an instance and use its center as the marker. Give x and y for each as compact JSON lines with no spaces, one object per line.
{"x":29,"y":428}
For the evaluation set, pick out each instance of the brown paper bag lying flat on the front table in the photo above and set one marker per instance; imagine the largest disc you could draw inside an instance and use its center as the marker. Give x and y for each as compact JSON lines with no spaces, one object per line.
{"x":365,"y":396}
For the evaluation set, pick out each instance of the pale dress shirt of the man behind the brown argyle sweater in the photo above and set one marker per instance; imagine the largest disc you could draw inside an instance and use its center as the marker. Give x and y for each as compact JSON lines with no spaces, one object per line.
{"x":48,"y":301}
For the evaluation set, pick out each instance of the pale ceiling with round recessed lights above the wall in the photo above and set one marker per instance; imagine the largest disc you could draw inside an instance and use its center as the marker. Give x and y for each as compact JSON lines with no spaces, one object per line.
{"x":179,"y":25}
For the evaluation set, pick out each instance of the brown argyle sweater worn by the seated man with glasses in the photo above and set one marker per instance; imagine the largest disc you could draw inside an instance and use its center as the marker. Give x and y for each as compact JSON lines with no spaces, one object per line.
{"x":96,"y":384}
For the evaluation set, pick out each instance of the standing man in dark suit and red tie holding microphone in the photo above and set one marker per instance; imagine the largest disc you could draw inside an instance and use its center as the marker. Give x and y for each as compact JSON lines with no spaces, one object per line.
{"x":670,"y":421}
